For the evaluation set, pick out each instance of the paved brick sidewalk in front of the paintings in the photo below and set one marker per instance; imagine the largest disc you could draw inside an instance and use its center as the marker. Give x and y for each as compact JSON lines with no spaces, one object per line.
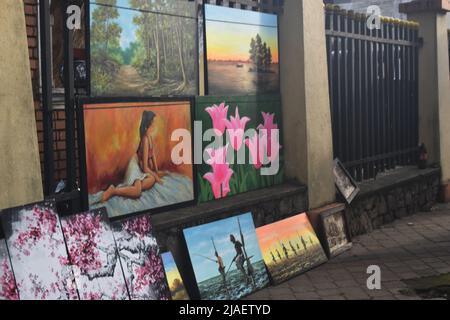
{"x":413,"y":247}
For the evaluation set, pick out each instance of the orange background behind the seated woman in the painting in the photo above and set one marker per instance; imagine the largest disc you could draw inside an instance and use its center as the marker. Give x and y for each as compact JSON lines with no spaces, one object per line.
{"x":112,"y":138}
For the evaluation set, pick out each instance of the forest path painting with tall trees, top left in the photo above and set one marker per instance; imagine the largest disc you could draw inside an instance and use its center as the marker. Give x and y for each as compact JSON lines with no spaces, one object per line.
{"x":143,"y":48}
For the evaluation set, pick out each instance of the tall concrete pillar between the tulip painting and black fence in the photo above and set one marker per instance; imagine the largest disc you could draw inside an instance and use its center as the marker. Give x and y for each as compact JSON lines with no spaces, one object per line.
{"x":305,"y":98}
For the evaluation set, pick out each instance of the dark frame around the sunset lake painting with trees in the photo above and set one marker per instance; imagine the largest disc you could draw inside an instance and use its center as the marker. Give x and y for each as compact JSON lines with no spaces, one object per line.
{"x":205,"y":49}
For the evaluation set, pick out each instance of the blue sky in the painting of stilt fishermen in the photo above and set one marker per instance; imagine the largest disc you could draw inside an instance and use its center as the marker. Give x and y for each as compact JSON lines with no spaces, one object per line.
{"x":199,"y":241}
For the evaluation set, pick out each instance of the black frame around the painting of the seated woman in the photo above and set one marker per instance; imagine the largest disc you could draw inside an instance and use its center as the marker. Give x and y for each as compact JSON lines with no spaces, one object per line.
{"x":82,"y":150}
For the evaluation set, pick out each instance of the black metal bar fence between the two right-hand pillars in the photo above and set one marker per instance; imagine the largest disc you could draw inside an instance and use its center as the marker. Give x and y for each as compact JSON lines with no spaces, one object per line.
{"x":373,"y":91}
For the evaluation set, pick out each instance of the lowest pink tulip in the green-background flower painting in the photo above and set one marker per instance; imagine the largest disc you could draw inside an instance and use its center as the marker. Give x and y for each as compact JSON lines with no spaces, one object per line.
{"x":221,"y":173}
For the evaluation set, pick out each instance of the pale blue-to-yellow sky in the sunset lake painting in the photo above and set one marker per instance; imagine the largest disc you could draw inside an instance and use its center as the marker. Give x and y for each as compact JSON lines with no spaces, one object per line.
{"x":229,"y":32}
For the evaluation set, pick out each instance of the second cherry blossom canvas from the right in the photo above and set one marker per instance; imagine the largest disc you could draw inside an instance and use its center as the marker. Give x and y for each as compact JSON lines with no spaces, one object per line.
{"x":94,"y":256}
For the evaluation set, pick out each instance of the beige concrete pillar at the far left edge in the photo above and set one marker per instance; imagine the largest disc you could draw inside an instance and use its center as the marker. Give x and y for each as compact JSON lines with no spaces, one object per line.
{"x":19,"y":155}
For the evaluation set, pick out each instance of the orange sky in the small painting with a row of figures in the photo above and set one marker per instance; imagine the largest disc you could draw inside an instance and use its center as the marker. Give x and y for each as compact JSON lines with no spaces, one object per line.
{"x":290,"y":229}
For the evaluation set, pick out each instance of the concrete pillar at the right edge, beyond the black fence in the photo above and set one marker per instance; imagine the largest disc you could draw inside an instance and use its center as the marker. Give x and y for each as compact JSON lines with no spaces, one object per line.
{"x":434,"y":92}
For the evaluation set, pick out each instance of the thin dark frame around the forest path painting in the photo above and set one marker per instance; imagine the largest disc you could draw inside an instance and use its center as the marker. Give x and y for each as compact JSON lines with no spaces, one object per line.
{"x":88,"y":52}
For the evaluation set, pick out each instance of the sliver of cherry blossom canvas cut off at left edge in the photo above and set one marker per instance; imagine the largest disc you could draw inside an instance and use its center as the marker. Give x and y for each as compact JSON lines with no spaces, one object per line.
{"x":8,"y":288}
